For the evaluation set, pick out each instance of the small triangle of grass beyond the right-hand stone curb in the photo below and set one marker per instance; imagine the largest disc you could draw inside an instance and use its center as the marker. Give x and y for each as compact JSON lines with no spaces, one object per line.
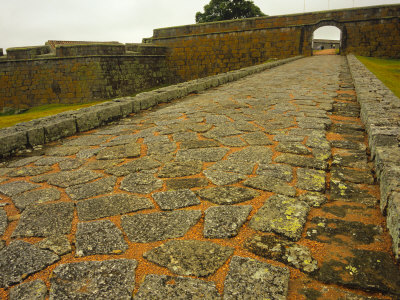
{"x":387,"y":70}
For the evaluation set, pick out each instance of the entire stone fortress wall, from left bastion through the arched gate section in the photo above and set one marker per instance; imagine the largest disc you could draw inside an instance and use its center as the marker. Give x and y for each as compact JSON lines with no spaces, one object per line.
{"x":34,"y":76}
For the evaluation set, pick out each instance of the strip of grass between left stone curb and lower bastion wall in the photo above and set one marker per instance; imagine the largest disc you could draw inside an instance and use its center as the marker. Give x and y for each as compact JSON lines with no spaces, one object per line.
{"x":39,"y":112}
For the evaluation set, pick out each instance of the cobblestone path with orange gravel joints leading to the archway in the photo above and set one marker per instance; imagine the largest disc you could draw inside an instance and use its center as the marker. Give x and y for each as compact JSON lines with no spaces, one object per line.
{"x":257,"y":189}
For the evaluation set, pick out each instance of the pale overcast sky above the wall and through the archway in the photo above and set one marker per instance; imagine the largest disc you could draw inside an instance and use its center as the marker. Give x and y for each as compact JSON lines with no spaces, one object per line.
{"x":33,"y":22}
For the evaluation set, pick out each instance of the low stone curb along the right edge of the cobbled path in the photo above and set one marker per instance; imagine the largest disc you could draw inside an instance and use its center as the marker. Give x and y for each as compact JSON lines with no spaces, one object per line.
{"x":380,"y":112}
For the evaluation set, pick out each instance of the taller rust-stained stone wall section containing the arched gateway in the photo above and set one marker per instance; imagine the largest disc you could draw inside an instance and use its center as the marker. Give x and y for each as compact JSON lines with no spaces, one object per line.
{"x":205,"y":49}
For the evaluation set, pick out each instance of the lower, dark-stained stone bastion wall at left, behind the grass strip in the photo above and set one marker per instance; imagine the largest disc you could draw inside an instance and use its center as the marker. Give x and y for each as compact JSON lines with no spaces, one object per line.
{"x":76,"y":74}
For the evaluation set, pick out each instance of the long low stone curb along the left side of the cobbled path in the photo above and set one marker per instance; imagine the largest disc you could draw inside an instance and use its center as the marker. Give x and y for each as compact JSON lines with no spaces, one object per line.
{"x":43,"y":130}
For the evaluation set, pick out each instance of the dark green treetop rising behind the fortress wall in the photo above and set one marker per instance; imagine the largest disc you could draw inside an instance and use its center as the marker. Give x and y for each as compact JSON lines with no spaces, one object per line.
{"x":218,"y":10}
